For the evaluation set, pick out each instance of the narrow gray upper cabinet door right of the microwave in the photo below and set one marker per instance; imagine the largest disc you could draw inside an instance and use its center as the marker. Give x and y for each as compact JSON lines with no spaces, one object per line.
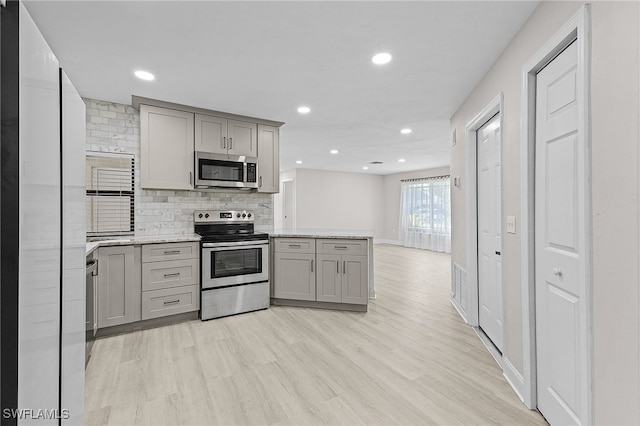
{"x":268,"y":159}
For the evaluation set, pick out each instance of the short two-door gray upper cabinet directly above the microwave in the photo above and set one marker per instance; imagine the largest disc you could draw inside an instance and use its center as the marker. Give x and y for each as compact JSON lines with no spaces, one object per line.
{"x":223,"y":136}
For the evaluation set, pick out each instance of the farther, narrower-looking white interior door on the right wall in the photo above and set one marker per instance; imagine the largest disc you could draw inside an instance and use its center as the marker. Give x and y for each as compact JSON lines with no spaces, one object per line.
{"x":489,"y":230}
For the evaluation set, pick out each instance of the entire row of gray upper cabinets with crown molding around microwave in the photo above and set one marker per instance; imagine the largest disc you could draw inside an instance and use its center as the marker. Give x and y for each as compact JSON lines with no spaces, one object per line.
{"x":170,"y":133}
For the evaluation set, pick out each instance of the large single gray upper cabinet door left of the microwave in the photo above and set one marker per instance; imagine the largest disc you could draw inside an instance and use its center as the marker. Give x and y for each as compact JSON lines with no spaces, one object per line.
{"x":166,"y":148}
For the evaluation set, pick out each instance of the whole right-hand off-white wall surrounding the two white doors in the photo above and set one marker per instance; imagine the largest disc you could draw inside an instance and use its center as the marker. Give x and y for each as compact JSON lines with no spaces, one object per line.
{"x":615,"y":115}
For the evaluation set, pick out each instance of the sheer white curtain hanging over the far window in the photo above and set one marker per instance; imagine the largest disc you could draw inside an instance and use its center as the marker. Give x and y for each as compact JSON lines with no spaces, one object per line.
{"x":425,"y":214}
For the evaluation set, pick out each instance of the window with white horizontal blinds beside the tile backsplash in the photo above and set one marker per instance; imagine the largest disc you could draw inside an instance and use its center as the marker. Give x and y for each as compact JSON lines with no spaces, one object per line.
{"x":110,"y":197}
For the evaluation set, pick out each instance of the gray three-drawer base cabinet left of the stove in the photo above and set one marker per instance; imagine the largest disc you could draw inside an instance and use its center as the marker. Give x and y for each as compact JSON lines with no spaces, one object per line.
{"x":170,"y":279}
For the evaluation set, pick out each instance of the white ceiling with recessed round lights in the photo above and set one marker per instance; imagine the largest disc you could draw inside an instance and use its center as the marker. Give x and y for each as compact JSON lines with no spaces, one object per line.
{"x":266,"y":58}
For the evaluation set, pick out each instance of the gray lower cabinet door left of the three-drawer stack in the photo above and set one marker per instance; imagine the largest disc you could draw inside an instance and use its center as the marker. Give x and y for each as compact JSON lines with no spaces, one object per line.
{"x":116,"y":286}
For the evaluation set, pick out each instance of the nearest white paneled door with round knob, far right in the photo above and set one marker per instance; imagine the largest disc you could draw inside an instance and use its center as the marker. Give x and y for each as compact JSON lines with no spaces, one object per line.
{"x":559,"y":243}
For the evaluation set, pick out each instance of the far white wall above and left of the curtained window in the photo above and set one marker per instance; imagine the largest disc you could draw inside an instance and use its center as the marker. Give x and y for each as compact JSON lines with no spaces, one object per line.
{"x":392,"y":193}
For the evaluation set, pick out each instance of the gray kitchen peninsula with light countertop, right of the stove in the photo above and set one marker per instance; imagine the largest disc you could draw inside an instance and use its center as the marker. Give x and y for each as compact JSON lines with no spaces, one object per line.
{"x":320,"y":268}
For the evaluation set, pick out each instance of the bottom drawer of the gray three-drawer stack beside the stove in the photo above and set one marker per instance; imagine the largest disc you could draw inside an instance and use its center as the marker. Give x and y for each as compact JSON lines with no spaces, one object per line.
{"x":170,"y":301}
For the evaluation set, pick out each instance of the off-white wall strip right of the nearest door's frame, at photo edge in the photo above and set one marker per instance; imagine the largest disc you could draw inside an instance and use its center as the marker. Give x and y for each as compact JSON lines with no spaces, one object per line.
{"x":615,"y":114}
